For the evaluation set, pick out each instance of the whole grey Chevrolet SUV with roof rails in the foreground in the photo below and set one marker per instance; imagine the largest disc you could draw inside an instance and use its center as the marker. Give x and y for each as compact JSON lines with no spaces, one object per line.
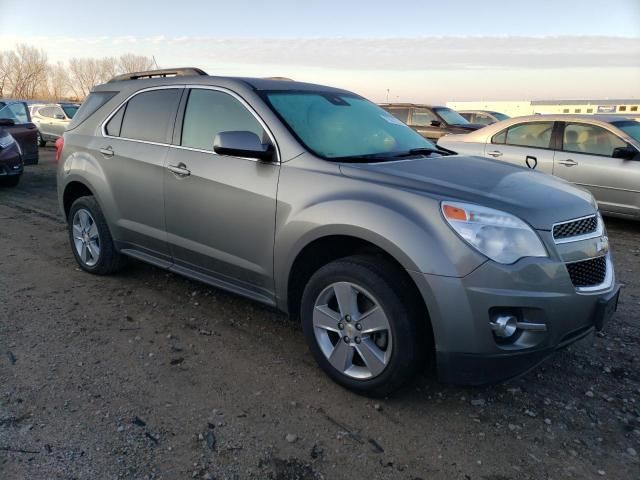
{"x":392,"y":254}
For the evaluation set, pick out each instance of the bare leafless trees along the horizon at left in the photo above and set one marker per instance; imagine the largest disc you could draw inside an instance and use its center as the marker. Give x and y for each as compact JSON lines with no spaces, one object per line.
{"x":26,"y":73}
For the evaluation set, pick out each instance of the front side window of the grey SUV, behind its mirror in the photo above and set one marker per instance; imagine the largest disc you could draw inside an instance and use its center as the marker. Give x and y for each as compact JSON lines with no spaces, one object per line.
{"x":210,"y":112}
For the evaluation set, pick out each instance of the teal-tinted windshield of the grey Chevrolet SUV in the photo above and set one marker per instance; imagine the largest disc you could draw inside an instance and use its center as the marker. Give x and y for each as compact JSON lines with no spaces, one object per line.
{"x":338,"y":126}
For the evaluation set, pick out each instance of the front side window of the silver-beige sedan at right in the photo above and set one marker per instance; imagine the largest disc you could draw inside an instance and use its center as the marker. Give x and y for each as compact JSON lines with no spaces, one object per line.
{"x":590,"y":140}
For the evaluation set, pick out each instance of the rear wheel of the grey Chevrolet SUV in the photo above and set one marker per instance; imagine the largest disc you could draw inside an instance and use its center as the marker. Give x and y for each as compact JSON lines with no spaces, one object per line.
{"x":90,"y":238}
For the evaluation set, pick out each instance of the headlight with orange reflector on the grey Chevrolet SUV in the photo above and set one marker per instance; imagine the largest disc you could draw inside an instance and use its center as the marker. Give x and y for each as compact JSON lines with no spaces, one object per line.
{"x":498,"y":235}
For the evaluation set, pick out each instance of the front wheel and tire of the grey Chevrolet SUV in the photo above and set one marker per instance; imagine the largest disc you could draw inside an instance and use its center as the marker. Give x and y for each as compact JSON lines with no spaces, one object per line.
{"x":362,"y":325}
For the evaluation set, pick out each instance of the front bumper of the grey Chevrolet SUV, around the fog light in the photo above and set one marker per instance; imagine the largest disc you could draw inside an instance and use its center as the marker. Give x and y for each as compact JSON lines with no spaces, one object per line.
{"x":538,"y":291}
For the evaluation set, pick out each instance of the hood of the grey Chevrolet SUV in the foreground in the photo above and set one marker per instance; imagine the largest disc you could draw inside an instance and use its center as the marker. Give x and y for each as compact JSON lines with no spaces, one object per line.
{"x":538,"y":198}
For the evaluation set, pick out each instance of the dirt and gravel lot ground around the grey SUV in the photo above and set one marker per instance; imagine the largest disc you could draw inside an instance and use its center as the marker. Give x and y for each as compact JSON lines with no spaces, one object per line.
{"x":148,"y":375}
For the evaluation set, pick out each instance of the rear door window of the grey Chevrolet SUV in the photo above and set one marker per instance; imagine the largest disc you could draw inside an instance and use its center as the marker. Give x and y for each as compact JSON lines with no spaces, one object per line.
{"x":149,"y":115}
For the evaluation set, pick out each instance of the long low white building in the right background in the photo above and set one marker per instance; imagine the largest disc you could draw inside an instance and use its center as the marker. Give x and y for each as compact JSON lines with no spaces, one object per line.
{"x":516,"y":108}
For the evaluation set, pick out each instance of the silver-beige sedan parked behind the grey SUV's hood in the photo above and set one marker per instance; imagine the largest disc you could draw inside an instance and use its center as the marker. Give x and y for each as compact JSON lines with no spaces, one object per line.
{"x":599,"y":153}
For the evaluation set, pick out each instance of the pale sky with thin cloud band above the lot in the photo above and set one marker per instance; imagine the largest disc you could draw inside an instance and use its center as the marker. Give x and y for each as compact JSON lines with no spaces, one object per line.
{"x":427,"y":51}
